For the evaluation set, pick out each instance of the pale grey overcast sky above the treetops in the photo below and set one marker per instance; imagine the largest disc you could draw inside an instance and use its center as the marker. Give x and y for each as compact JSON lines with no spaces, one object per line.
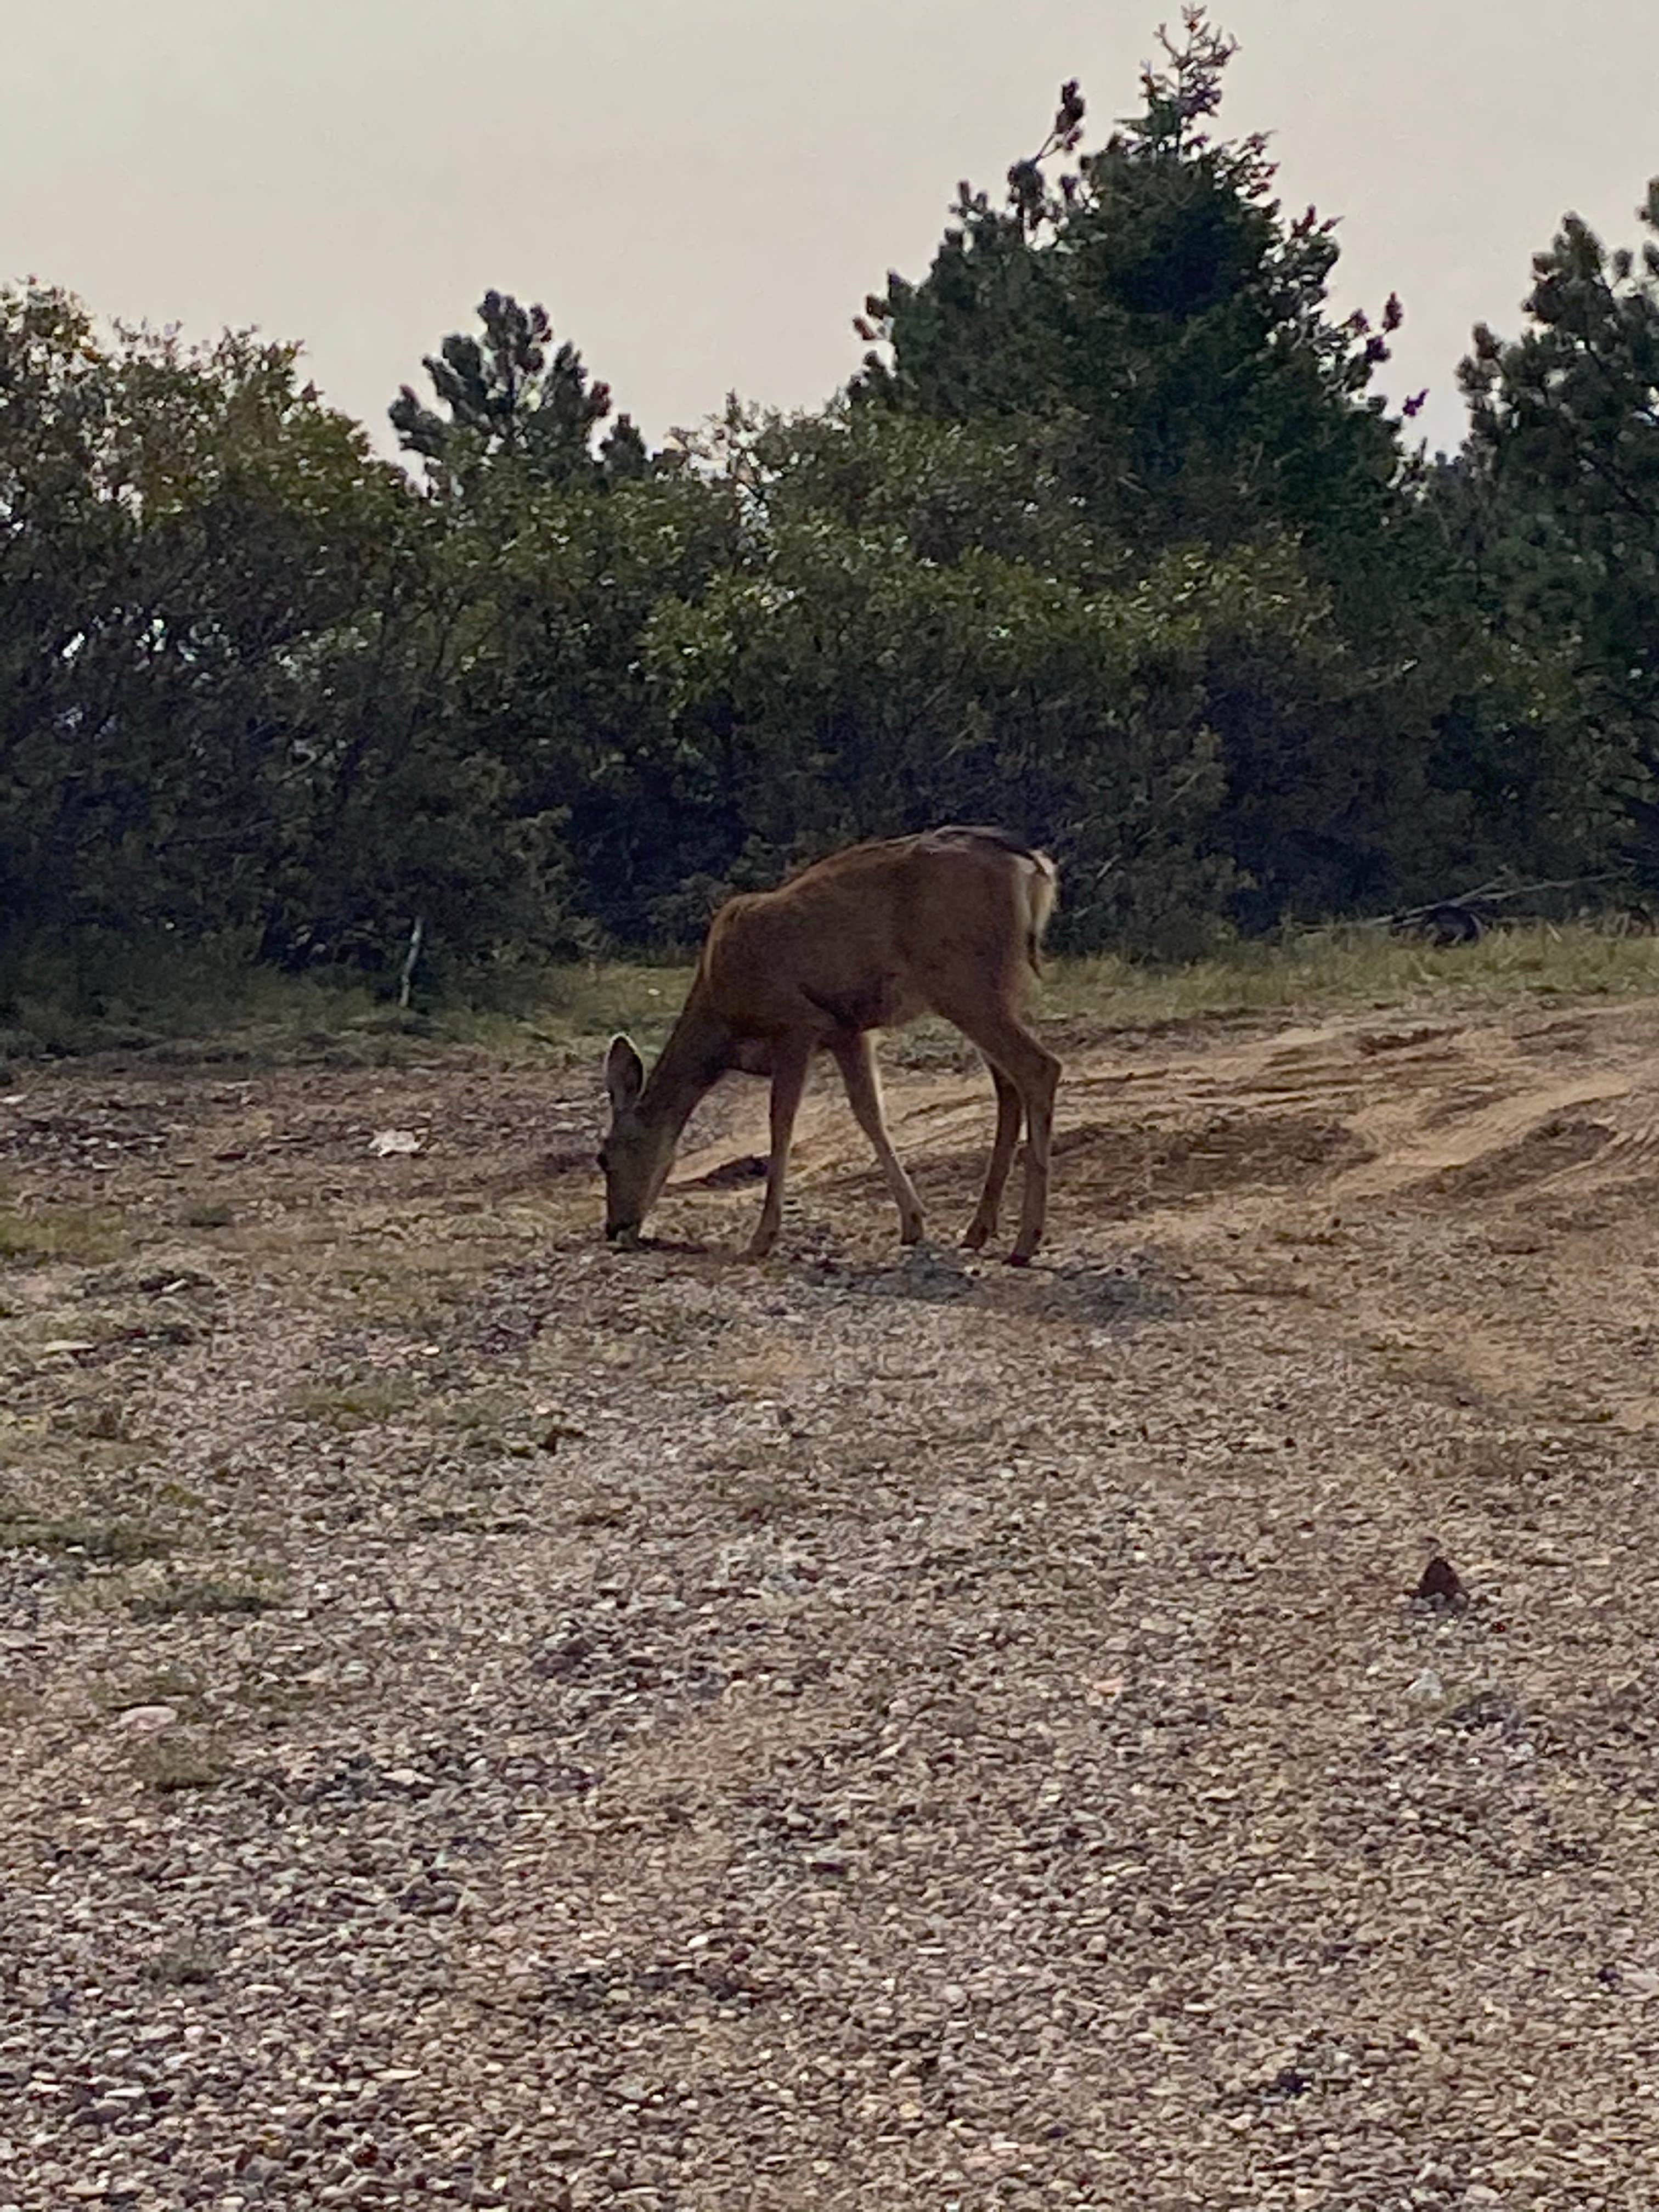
{"x":702,"y":191}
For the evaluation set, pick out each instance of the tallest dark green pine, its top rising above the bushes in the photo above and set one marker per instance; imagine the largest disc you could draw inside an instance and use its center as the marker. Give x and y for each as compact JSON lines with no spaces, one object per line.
{"x":1156,"y":304}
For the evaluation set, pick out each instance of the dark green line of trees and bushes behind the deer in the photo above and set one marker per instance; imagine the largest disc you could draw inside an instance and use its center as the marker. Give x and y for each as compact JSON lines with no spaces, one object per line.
{"x":1109,"y":541}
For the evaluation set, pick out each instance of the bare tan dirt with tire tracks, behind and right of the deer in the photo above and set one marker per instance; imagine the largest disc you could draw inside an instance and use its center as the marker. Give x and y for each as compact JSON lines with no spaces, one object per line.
{"x":1452,"y":1145}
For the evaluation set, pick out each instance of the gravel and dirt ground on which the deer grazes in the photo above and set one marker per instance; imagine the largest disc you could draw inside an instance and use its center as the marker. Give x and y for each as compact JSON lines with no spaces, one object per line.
{"x":499,"y":1722}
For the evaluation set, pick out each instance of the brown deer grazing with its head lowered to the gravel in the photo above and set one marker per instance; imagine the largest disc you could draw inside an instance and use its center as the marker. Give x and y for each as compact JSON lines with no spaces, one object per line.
{"x":948,"y":924}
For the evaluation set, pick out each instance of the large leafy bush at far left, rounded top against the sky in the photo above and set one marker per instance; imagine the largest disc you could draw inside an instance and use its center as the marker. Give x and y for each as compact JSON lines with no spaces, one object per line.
{"x":227,"y":660}
